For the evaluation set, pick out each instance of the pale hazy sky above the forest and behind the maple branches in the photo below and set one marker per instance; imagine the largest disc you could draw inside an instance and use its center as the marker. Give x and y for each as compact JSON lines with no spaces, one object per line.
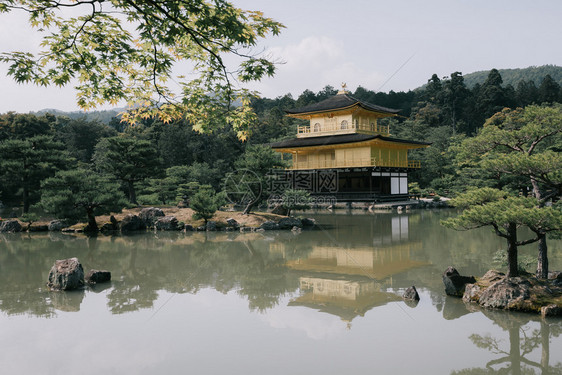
{"x":379,"y":45}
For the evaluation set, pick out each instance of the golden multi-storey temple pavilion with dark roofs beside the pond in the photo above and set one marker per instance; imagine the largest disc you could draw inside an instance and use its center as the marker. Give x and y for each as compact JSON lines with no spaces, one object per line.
{"x":344,"y":151}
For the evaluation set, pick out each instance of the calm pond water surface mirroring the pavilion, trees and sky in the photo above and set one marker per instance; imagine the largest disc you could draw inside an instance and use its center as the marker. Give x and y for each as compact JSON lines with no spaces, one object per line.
{"x":318,"y":302}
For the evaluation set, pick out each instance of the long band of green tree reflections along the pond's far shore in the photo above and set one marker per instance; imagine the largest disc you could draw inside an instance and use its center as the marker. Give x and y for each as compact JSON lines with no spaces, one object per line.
{"x":253,"y":264}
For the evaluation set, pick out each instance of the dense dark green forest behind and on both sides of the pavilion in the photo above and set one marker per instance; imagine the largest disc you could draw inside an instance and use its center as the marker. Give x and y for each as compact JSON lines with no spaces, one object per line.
{"x":157,"y":163}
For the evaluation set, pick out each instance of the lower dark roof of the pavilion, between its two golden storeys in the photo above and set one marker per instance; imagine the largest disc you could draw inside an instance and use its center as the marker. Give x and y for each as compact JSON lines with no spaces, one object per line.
{"x":338,"y":139}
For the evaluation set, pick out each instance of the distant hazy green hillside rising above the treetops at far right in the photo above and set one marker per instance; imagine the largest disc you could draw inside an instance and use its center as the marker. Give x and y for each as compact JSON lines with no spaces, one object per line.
{"x":513,"y":76}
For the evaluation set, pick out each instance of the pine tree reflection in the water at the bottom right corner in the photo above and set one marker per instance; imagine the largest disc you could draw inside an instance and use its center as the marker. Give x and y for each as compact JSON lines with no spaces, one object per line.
{"x":523,"y":340}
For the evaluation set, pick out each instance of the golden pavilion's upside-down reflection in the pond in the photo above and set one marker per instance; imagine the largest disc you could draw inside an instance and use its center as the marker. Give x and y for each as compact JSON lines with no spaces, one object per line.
{"x":349,"y":281}
